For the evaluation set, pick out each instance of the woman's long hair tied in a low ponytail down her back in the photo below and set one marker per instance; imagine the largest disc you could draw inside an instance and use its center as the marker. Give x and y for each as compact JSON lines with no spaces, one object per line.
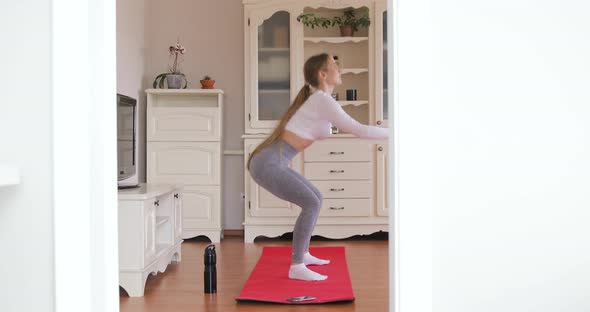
{"x":310,"y":71}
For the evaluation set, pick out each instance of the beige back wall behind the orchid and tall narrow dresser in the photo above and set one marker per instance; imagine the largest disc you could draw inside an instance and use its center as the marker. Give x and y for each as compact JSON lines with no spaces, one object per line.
{"x":212,"y":33}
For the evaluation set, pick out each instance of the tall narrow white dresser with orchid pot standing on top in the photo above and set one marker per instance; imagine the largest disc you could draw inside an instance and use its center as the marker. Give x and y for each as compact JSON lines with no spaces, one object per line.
{"x":184,"y":135}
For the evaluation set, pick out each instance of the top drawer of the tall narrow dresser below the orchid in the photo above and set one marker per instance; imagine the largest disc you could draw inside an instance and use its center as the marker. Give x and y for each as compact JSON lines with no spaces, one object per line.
{"x":183,"y":118}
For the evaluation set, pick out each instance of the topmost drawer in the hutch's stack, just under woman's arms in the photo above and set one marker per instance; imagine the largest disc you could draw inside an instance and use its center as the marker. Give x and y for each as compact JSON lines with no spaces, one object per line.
{"x":331,"y":150}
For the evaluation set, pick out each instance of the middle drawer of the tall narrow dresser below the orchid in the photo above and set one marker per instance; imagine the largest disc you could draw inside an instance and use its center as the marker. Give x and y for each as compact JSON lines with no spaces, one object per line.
{"x":184,"y":162}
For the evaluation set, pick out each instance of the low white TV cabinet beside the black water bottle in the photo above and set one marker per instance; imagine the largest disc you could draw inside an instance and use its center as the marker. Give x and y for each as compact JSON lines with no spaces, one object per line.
{"x":150,"y":219}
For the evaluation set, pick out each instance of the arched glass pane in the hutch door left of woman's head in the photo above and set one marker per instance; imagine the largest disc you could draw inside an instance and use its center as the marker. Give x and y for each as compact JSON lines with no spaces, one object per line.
{"x":274,"y":73}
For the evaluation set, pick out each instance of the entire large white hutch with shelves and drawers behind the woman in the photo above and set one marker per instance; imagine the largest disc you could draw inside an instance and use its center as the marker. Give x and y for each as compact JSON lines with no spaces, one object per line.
{"x":350,"y":173}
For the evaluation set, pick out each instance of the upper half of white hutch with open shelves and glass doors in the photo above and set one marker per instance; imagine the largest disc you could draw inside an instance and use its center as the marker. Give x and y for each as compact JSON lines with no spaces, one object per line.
{"x":277,"y":45}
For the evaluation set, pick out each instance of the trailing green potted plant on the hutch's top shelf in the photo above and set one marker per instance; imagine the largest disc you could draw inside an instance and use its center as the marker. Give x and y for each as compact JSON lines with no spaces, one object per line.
{"x":348,"y":22}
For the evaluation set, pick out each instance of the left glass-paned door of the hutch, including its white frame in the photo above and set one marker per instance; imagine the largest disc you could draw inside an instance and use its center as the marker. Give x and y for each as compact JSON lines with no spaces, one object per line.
{"x":269,"y":67}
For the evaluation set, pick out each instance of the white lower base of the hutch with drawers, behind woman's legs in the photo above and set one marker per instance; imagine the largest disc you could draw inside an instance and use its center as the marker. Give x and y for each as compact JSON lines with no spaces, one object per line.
{"x":349,"y":172}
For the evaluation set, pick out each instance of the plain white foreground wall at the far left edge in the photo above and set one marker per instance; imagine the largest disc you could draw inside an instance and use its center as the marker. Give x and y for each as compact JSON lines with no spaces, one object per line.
{"x":26,"y":210}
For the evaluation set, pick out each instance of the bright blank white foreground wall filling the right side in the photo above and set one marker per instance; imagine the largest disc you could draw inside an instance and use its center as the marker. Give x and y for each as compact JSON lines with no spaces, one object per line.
{"x":494,"y":144}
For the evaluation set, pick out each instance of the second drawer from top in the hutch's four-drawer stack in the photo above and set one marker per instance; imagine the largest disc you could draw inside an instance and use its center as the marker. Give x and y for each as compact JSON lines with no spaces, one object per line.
{"x":337,"y":171}
